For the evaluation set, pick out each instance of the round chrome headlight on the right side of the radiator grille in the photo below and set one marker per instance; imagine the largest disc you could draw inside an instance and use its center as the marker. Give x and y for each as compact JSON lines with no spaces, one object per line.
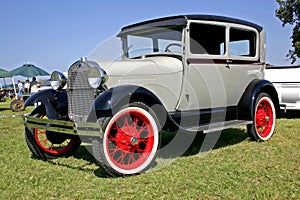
{"x":97,"y":76}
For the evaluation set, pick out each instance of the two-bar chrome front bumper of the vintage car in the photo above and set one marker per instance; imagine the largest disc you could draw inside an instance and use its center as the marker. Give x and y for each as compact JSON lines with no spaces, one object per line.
{"x":65,"y":127}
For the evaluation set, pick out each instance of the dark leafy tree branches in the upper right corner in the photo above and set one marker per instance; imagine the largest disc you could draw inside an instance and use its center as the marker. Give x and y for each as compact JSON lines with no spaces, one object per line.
{"x":289,"y":13}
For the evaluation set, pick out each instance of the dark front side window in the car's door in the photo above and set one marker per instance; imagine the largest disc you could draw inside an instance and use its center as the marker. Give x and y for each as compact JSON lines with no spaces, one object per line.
{"x":207,"y":39}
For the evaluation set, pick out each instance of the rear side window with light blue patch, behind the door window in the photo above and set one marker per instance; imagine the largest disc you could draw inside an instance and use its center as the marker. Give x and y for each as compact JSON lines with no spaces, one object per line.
{"x":242,"y":42}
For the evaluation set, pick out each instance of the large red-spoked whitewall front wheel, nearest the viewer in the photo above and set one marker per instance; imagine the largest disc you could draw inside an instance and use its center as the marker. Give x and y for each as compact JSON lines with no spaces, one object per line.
{"x":130,"y":141}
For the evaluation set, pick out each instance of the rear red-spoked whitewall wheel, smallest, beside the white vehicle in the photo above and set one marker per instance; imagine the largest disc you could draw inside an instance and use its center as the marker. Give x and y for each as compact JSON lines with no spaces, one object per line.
{"x":264,"y":119}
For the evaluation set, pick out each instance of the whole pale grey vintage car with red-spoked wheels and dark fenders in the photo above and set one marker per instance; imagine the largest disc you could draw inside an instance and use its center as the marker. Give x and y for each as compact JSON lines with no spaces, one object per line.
{"x":193,"y":73}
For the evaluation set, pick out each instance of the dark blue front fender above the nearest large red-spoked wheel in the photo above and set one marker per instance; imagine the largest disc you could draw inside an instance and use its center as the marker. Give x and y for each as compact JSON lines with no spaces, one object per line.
{"x":110,"y":101}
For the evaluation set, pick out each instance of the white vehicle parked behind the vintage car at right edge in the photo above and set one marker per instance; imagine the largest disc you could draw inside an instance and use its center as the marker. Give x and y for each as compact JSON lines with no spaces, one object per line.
{"x":286,"y":80}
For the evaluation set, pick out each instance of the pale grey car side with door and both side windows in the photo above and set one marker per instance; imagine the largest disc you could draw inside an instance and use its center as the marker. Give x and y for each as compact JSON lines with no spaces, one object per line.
{"x":221,"y":60}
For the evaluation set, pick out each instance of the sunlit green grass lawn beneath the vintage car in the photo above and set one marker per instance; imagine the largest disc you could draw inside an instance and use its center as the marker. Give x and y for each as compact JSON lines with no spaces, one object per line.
{"x":236,"y":168}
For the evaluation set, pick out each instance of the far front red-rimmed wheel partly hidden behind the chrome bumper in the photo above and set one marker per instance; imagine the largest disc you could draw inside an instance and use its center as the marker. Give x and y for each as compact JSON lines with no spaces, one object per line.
{"x":46,"y":144}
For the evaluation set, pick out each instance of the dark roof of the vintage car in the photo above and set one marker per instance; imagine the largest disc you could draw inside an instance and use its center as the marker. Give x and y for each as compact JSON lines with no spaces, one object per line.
{"x":181,"y":20}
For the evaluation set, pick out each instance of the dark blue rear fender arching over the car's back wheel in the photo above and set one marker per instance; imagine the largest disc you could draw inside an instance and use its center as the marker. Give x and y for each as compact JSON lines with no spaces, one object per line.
{"x":247,"y":102}
